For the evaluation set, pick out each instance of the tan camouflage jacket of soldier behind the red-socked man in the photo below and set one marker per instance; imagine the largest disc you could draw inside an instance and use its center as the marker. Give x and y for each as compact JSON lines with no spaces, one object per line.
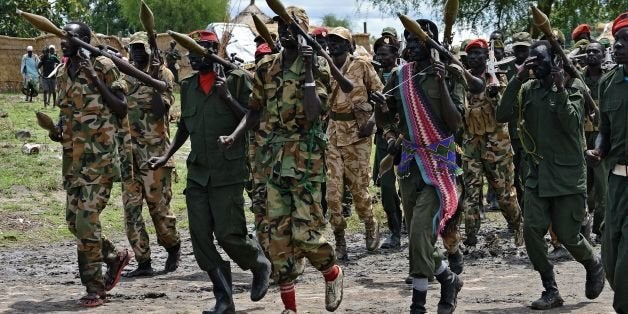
{"x":360,"y":72}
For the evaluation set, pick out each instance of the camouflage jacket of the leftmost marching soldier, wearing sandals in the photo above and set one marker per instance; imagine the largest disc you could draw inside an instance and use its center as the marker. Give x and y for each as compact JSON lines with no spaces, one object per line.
{"x":88,"y":126}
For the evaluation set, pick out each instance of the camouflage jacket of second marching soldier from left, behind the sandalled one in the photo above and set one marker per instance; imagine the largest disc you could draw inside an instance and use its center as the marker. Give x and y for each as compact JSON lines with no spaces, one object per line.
{"x":150,"y":135}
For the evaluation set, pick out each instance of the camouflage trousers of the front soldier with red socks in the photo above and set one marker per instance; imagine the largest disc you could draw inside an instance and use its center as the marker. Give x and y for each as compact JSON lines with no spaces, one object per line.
{"x":295,"y":228}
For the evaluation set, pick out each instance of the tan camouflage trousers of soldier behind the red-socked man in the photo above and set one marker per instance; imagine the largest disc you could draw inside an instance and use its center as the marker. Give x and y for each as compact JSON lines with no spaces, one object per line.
{"x":350,"y":163}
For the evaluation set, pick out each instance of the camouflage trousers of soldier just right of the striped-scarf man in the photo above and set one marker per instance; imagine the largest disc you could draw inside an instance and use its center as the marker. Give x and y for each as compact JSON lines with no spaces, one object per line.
{"x":490,"y":155}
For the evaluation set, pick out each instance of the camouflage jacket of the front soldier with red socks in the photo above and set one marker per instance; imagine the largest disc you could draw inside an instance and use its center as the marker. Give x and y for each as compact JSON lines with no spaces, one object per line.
{"x":292,"y":146}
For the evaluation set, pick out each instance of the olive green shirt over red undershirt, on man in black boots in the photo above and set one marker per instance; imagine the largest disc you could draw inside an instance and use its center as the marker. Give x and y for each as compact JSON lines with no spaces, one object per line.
{"x":206,"y":117}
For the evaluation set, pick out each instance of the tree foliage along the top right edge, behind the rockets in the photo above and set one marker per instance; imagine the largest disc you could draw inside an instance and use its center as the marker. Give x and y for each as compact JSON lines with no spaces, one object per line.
{"x":512,"y":15}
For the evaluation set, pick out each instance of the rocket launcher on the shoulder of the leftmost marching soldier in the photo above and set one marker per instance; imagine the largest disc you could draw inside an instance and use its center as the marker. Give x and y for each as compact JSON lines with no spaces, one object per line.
{"x":43,"y":24}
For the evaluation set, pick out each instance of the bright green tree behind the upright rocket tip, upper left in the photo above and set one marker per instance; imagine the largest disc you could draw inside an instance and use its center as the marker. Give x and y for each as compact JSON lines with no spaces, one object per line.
{"x":177,"y":15}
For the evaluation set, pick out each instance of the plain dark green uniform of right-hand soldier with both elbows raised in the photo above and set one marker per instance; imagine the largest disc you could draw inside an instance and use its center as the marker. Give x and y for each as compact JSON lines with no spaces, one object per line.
{"x":551,"y":130}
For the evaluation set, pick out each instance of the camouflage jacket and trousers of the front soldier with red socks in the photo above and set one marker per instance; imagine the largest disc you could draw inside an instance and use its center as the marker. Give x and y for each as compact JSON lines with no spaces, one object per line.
{"x":293,"y":153}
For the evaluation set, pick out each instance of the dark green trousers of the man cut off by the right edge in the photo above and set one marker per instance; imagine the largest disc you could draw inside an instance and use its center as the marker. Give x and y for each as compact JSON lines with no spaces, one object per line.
{"x":615,"y":241}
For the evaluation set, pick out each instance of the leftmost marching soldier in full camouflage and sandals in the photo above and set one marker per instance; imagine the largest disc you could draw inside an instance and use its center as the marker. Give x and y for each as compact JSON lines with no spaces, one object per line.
{"x":91,"y":102}
